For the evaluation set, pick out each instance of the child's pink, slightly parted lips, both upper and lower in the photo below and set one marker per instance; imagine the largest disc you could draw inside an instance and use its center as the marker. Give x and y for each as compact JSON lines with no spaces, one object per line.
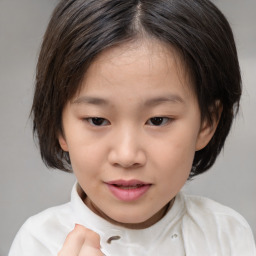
{"x":128,"y":190}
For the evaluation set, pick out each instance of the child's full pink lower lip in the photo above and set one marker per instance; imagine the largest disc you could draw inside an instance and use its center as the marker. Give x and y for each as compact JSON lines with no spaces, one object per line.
{"x":130,"y":194}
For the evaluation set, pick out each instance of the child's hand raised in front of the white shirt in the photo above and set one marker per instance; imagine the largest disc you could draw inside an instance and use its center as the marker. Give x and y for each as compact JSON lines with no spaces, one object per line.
{"x":81,"y":242}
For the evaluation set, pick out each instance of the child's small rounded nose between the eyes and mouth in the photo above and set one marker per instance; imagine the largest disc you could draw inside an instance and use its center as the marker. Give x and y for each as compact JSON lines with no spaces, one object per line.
{"x":127,"y":149}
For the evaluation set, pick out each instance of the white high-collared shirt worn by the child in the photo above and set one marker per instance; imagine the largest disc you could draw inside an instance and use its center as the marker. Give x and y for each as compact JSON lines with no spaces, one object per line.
{"x":193,"y":226}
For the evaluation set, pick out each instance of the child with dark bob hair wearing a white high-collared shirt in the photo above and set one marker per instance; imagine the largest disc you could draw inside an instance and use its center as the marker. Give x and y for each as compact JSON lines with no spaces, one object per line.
{"x":135,"y":97}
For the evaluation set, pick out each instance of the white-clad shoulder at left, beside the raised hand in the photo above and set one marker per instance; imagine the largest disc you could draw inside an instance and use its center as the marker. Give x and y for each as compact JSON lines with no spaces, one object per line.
{"x":43,"y":233}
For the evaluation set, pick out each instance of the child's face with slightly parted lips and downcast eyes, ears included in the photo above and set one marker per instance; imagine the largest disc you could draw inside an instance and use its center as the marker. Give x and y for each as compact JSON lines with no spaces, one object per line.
{"x":132,"y":132}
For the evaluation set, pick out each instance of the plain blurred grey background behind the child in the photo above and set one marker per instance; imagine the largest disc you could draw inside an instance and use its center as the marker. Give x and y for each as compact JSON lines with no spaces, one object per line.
{"x":27,"y":186}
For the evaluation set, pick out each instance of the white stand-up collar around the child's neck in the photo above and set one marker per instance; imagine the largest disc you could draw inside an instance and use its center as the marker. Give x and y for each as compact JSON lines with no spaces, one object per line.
{"x":84,"y":216}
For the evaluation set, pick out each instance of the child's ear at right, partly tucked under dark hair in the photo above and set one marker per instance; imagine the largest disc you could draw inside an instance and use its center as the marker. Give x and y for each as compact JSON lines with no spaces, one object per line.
{"x":208,"y":128}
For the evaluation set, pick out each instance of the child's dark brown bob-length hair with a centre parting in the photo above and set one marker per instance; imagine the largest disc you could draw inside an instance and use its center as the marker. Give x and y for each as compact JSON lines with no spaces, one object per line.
{"x":80,"y":30}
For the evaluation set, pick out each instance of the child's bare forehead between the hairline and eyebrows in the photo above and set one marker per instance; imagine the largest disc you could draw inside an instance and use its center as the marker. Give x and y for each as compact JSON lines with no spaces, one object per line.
{"x":142,"y":64}
